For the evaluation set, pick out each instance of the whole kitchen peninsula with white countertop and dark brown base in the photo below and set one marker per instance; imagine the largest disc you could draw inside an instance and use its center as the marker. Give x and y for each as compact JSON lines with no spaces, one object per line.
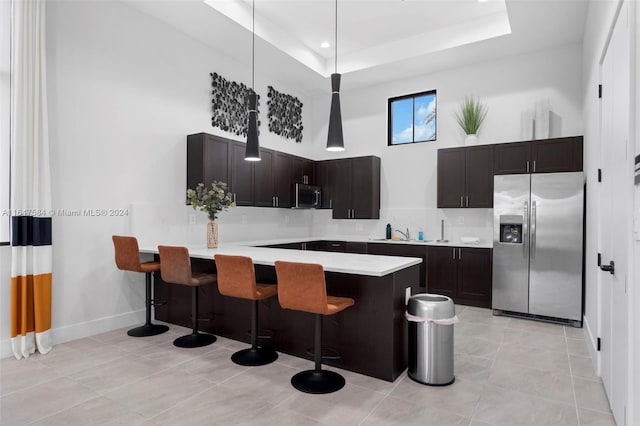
{"x":369,"y":338}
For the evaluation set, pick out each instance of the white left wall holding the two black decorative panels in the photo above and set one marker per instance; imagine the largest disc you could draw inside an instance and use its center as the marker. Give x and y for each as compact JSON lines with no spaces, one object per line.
{"x":124,"y":91}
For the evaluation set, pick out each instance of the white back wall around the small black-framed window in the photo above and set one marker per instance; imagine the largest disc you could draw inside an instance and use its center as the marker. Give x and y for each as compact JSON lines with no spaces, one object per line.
{"x":408,"y":182}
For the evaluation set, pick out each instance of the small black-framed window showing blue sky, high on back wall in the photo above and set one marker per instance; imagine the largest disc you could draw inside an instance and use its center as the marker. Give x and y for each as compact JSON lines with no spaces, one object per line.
{"x":412,"y":118}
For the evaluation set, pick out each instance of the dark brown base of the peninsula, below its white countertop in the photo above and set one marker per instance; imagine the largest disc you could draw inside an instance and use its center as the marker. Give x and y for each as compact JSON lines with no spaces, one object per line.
{"x":370,"y":337}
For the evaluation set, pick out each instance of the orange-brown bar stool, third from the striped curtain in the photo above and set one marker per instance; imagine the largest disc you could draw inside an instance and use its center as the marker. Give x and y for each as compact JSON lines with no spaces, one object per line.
{"x":237,"y":278}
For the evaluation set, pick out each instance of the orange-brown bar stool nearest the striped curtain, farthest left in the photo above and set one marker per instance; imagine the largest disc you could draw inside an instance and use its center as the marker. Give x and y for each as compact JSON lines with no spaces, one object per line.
{"x":128,"y":259}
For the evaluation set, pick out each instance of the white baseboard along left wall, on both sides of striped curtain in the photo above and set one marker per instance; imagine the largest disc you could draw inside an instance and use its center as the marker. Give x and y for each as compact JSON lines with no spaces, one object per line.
{"x":84,"y":329}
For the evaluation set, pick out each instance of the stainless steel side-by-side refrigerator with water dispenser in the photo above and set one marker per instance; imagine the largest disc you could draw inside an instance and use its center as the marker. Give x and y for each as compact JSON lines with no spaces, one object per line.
{"x":537,"y":245}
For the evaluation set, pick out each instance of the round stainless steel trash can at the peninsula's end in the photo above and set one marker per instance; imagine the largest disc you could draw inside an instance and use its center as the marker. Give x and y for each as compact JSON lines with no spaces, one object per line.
{"x":431,"y":318}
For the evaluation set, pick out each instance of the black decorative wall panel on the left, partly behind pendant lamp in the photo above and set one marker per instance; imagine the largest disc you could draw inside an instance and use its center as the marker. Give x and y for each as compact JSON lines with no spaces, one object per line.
{"x":230,"y":104}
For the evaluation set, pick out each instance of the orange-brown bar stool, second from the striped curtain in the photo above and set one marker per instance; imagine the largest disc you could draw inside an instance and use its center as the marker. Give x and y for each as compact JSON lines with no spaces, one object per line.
{"x":175,"y":268}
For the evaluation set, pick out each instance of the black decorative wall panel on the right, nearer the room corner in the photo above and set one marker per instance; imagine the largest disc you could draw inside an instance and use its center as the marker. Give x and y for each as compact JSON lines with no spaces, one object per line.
{"x":285,"y":115}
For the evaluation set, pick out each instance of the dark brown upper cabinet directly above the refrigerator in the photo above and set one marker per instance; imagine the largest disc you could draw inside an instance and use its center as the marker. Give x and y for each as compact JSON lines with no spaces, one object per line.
{"x":539,"y":156}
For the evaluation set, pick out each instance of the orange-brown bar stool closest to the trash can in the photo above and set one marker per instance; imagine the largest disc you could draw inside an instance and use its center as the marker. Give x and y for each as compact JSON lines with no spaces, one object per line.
{"x":302,"y":287}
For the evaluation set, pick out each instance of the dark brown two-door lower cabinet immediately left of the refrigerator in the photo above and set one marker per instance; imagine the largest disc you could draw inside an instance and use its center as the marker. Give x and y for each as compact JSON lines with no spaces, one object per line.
{"x":462,"y":273}
